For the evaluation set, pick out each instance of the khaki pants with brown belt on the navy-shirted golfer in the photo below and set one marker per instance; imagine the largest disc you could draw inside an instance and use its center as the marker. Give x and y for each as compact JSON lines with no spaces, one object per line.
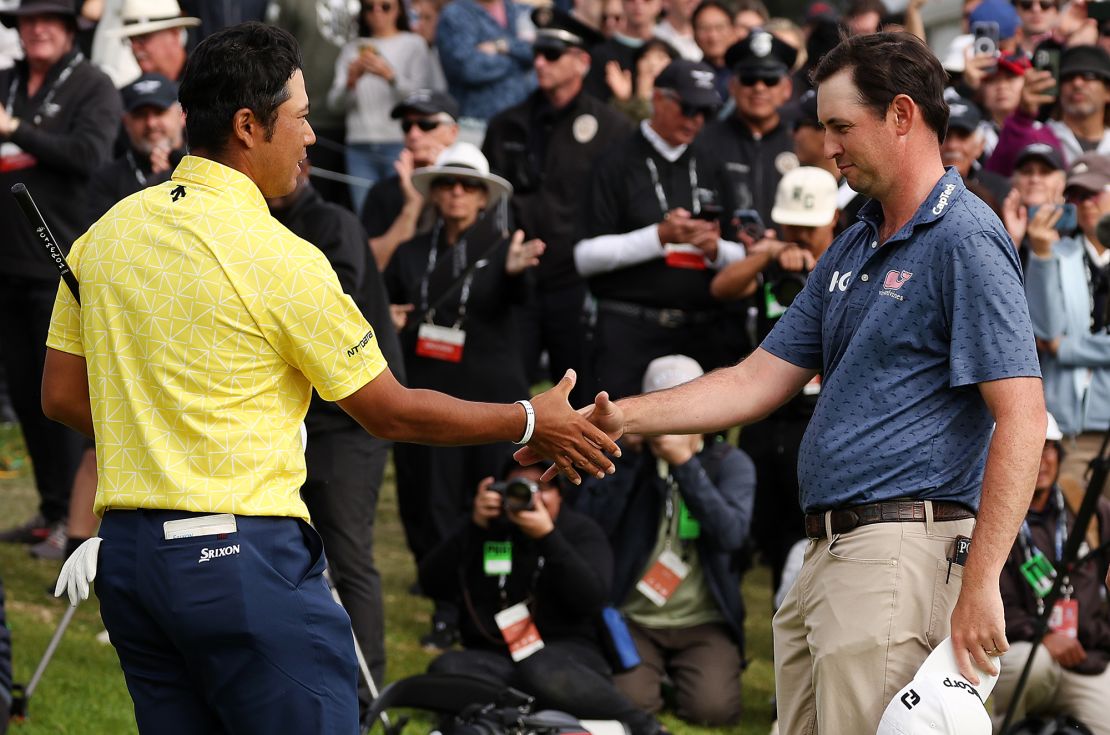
{"x":865,"y":612}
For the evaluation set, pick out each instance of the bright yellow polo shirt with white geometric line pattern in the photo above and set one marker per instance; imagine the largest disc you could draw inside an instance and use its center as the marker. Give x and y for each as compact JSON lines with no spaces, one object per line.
{"x":206,"y":325}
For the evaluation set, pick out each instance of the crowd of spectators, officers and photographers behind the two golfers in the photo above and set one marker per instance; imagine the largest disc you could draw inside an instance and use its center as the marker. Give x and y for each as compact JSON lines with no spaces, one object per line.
{"x":635,"y":190}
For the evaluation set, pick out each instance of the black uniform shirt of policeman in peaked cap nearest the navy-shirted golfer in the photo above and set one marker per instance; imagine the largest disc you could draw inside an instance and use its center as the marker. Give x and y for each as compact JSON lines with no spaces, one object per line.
{"x":753,"y":166}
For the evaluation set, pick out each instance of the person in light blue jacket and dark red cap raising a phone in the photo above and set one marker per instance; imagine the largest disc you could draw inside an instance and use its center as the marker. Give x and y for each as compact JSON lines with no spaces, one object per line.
{"x":1068,"y":287}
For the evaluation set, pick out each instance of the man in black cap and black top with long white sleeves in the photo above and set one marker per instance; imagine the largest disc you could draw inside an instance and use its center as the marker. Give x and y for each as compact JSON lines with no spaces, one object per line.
{"x":653,"y":238}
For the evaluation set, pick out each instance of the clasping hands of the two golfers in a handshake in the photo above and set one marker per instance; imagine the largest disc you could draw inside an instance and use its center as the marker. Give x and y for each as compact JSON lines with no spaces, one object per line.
{"x":599,"y":426}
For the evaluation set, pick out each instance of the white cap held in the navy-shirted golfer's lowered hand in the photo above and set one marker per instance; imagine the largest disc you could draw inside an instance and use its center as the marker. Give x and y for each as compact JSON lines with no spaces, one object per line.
{"x":940,"y":701}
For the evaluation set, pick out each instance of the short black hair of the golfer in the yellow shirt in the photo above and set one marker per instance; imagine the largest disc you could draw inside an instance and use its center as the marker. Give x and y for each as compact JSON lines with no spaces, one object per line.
{"x":246,"y":66}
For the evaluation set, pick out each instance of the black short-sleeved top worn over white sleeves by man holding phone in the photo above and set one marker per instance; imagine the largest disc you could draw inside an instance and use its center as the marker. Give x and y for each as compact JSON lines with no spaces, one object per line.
{"x":623,"y":199}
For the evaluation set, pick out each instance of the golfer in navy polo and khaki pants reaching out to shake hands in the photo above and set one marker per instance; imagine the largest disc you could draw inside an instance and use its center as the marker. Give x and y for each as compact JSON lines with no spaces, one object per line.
{"x":917,"y":321}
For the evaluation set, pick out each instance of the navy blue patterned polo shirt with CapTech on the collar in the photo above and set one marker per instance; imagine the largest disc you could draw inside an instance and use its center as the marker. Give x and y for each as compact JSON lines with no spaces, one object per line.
{"x":902,"y":333}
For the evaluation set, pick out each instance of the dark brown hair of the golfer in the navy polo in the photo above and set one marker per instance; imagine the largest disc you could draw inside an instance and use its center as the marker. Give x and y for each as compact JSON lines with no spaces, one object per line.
{"x":887,"y":65}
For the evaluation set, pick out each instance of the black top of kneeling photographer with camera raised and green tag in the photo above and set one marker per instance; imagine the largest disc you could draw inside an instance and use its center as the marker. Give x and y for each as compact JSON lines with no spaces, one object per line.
{"x":567,"y":593}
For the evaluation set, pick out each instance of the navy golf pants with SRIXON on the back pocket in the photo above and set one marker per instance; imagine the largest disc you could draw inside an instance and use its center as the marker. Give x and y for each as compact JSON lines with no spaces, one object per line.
{"x":227,"y":636}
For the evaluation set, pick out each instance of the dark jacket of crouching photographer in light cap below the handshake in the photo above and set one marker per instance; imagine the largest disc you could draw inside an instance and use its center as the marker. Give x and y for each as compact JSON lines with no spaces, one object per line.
{"x":630,"y":505}
